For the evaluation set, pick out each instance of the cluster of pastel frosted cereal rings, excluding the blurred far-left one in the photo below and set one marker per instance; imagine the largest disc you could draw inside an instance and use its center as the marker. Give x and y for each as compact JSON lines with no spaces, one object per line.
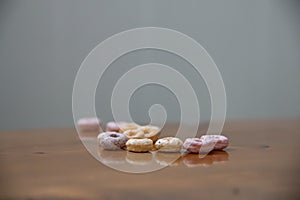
{"x":136,"y":138}
